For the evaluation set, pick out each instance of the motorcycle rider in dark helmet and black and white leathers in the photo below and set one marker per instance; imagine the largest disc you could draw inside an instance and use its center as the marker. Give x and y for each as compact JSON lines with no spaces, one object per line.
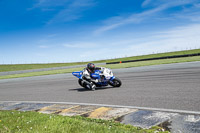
{"x":88,"y":81}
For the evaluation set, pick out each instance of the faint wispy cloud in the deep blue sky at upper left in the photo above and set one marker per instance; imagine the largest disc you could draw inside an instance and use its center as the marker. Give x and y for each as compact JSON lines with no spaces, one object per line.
{"x":68,"y":9}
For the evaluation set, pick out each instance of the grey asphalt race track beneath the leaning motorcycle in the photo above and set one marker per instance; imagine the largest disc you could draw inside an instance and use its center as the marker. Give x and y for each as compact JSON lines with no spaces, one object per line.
{"x":172,"y":86}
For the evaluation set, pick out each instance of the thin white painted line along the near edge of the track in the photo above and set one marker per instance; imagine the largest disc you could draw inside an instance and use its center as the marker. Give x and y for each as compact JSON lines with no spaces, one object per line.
{"x":116,"y":106}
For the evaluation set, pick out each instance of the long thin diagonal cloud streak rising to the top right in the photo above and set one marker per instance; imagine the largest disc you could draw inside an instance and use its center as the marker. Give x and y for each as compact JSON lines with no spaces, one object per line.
{"x":117,"y":21}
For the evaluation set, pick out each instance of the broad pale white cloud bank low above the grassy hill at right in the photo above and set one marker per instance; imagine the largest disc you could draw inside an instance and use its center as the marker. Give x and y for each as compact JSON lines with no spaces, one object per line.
{"x":175,"y":39}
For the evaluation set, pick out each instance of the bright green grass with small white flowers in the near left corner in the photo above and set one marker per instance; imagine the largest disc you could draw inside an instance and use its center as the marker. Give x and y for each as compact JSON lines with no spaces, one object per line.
{"x":24,"y":122}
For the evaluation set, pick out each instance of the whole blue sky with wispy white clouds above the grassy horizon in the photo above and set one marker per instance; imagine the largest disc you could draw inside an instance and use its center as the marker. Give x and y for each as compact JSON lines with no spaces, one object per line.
{"x":47,"y":31}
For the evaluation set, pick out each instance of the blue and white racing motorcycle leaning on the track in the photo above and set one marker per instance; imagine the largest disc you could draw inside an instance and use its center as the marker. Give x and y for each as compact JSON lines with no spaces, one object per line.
{"x":104,"y":78}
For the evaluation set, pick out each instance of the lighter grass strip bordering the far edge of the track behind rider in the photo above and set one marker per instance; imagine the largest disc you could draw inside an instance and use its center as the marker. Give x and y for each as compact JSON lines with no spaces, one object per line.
{"x":112,"y":66}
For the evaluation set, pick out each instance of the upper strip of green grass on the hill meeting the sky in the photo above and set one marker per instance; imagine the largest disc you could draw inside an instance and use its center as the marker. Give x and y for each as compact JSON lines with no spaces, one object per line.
{"x":16,"y":67}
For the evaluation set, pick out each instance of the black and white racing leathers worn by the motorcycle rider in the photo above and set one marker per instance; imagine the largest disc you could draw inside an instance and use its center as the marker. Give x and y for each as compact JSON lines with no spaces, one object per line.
{"x":88,"y":81}
